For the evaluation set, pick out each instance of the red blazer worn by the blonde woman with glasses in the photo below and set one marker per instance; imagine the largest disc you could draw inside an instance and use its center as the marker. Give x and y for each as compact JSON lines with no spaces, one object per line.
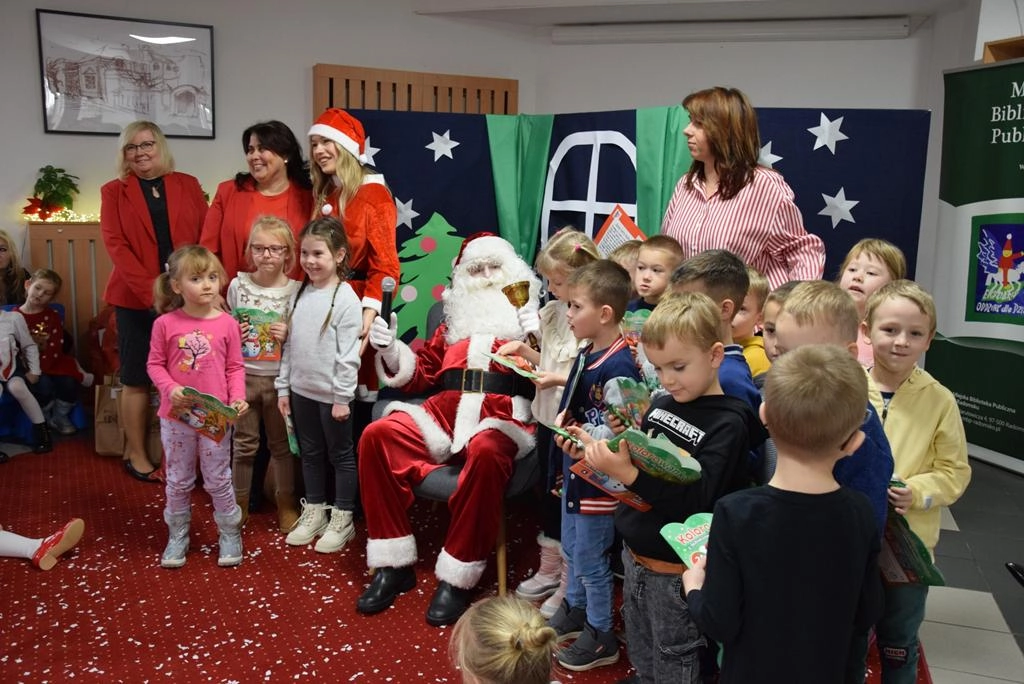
{"x":132,"y":240}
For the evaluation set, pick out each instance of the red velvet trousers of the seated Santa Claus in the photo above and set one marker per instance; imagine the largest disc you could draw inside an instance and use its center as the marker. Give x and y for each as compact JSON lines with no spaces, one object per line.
{"x":394,"y":459}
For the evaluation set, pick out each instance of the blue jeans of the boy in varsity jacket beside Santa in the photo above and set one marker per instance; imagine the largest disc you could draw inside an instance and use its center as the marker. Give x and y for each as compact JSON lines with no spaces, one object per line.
{"x":586,"y":540}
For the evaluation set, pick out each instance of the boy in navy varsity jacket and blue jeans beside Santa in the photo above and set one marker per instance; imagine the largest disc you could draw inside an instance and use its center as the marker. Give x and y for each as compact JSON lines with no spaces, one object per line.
{"x":599,"y":295}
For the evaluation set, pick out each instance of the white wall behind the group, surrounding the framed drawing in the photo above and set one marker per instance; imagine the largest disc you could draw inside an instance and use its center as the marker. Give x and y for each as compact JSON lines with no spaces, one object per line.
{"x":266,"y":50}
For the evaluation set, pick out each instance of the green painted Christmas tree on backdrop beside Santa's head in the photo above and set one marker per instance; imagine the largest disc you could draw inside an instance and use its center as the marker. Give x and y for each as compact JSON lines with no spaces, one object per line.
{"x":426,"y":267}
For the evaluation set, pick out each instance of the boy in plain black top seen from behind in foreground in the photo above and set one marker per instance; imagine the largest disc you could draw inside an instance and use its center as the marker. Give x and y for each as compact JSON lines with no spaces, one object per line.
{"x":801,"y":526}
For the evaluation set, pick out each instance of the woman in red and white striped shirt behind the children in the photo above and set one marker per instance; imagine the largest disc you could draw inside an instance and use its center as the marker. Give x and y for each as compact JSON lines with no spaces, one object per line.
{"x":728,"y":201}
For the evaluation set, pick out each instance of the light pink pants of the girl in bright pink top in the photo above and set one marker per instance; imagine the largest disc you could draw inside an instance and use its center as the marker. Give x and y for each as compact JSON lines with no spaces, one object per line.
{"x":183,"y":446}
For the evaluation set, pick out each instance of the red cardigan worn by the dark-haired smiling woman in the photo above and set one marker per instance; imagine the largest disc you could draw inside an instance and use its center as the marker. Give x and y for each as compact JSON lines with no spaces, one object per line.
{"x":227,"y":229}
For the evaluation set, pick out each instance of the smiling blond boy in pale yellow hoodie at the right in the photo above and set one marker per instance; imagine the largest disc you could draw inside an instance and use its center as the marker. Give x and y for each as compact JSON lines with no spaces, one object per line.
{"x":924,"y":425}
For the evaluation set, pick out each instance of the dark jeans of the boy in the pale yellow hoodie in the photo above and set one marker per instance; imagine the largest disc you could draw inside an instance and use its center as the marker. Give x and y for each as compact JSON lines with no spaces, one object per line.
{"x":898,"y":633}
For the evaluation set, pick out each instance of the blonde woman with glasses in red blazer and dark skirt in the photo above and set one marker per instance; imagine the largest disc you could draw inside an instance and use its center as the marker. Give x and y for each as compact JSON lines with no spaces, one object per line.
{"x":147,"y":213}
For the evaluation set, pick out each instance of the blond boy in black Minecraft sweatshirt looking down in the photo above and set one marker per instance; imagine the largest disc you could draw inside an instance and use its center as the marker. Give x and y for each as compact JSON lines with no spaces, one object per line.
{"x":682,"y":343}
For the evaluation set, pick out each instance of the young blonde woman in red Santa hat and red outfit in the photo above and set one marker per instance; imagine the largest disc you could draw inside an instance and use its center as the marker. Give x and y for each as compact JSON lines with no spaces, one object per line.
{"x":346,"y":187}
